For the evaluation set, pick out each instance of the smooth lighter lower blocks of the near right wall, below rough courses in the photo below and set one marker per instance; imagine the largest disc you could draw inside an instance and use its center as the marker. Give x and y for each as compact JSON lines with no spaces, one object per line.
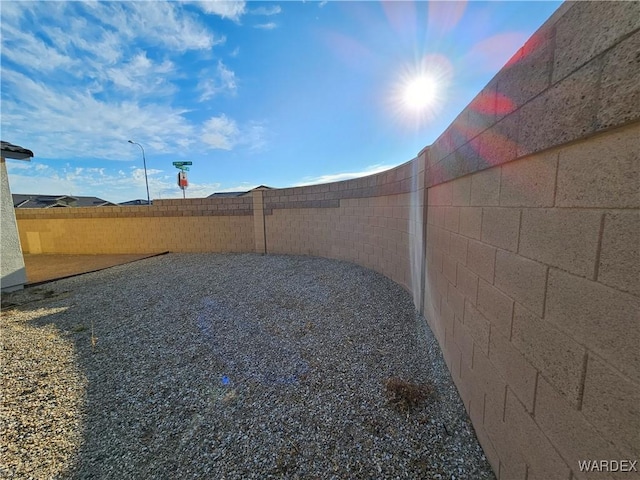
{"x":532,"y":274}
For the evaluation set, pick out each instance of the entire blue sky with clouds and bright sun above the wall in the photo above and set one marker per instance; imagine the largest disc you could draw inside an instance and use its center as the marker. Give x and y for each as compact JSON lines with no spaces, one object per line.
{"x":275,"y":93}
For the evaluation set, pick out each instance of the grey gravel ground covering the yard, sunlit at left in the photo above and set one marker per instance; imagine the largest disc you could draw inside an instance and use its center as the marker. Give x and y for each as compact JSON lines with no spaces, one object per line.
{"x":226,"y":367}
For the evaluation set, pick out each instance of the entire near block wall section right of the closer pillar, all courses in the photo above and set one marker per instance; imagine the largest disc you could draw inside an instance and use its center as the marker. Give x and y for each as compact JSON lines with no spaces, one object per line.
{"x":533,"y":234}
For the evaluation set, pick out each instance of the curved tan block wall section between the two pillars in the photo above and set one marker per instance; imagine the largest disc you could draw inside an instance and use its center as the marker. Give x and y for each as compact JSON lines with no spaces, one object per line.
{"x":368,"y":221}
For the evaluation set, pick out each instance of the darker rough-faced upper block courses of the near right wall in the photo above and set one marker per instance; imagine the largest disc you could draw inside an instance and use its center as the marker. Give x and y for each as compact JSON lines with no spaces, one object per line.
{"x":576,"y":76}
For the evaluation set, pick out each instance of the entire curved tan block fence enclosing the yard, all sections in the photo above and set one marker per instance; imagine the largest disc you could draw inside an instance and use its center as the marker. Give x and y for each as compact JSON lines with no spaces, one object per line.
{"x":517,"y":234}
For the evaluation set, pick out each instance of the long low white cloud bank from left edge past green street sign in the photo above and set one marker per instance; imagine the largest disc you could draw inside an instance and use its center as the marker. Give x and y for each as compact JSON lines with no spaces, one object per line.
{"x":77,"y":125}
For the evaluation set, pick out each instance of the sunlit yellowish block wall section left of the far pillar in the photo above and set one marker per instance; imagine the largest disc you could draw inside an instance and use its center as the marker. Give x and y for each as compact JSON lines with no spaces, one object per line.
{"x":193,"y":225}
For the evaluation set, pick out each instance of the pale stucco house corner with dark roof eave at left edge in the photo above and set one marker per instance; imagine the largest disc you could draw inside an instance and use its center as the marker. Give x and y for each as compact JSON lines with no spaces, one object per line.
{"x":12,"y":271}
